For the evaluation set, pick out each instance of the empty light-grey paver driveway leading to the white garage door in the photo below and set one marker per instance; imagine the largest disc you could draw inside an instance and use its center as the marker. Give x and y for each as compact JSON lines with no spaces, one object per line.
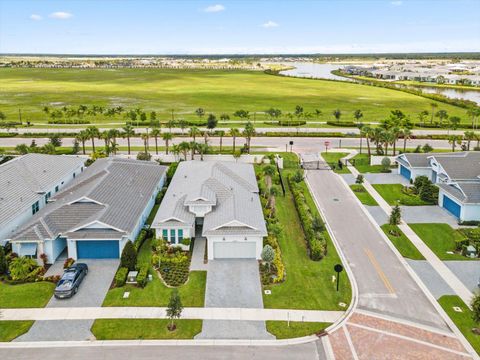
{"x":233,"y":283}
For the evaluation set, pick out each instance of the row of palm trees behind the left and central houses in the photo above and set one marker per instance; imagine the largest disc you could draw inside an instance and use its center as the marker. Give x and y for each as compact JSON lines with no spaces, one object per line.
{"x":110,"y":137}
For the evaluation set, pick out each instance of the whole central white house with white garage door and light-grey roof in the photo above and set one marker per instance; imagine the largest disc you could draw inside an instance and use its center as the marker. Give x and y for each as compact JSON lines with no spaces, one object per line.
{"x":216,"y":200}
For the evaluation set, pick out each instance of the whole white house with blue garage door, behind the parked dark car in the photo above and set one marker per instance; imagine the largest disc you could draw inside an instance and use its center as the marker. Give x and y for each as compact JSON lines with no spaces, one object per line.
{"x":96,"y":214}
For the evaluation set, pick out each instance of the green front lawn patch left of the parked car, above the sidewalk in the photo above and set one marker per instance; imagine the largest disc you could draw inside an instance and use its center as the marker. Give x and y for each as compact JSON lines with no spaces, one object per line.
{"x":28,"y":295}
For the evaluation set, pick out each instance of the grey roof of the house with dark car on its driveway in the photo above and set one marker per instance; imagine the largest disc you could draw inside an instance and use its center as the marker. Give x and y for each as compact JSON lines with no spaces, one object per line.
{"x":112,"y":193}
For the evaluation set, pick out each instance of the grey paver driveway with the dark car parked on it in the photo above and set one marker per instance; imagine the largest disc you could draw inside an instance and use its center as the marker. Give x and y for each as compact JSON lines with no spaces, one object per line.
{"x":91,"y":293}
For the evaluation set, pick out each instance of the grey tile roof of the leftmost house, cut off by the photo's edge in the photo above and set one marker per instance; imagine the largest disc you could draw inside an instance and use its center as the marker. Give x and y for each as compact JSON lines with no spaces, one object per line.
{"x":24,"y":180}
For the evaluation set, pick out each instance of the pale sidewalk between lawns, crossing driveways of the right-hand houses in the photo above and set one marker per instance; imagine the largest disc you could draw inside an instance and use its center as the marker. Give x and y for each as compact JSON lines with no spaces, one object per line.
{"x":457,"y":286}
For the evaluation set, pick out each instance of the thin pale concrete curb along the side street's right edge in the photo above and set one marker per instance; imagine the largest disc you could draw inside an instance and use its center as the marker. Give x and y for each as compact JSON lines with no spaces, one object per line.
{"x":417,"y":279}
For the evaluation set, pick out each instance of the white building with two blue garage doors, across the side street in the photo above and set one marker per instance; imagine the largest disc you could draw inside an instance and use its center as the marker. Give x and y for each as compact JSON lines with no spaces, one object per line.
{"x":456,"y":174}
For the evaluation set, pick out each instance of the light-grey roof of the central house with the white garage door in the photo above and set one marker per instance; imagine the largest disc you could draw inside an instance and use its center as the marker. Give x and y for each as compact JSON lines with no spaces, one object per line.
{"x":231,"y":188}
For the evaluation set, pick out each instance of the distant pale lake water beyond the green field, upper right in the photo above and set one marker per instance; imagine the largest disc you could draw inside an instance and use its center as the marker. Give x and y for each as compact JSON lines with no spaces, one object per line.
{"x":324,"y":71}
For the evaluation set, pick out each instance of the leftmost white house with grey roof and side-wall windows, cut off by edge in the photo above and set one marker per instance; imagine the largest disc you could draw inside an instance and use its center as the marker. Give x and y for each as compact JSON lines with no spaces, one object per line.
{"x":28,"y":182}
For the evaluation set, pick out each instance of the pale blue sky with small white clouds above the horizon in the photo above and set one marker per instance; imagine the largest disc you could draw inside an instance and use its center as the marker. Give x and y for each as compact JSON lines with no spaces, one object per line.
{"x":203,"y":27}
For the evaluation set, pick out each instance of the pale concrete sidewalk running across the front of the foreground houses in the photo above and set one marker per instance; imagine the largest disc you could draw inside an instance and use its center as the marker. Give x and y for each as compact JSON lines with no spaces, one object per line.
{"x":85,"y":313}
